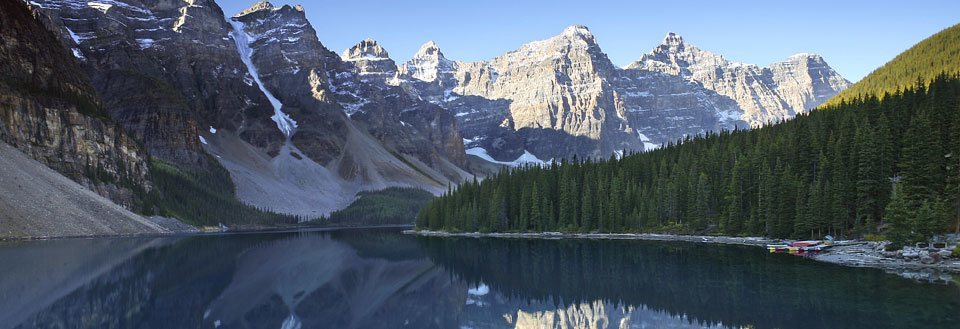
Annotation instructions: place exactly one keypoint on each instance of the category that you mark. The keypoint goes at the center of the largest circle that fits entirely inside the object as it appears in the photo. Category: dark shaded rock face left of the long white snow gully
(167, 72)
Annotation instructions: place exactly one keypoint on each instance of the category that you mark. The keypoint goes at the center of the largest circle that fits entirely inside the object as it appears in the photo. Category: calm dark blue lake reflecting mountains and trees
(383, 279)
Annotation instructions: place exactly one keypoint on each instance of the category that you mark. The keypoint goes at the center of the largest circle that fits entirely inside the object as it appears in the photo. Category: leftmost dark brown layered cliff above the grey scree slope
(49, 111)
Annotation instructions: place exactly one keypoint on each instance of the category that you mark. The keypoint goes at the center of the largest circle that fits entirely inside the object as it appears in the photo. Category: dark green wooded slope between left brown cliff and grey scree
(204, 199)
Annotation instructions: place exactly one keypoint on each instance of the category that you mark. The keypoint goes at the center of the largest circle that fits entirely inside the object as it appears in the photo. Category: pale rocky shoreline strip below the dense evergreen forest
(854, 253)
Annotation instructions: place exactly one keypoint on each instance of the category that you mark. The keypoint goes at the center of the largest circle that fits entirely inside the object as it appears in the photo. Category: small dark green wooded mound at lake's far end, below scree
(392, 206)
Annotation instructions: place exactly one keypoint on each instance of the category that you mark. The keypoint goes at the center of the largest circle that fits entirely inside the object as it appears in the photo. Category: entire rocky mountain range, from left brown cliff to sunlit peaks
(231, 117)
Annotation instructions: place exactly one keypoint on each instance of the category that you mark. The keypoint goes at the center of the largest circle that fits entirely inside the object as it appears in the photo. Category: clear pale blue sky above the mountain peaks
(854, 37)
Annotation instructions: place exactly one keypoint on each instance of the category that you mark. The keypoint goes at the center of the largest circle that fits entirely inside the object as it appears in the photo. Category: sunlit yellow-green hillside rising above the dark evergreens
(937, 54)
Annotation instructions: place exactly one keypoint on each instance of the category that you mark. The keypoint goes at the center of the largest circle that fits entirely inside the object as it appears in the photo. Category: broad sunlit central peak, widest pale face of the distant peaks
(561, 100)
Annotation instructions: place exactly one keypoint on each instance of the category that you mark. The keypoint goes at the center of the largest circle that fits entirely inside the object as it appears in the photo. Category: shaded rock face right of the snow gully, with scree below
(344, 133)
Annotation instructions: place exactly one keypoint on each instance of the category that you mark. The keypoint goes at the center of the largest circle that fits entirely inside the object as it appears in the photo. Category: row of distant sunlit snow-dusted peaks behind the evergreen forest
(562, 96)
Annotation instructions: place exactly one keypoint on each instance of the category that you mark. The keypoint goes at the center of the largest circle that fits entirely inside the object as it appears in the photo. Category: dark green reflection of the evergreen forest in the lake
(701, 285)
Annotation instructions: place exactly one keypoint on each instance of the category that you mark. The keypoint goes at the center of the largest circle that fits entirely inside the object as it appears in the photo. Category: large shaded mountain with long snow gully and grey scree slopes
(255, 101)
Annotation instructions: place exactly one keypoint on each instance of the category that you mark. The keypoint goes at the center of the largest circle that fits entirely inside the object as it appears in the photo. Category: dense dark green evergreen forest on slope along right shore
(833, 171)
